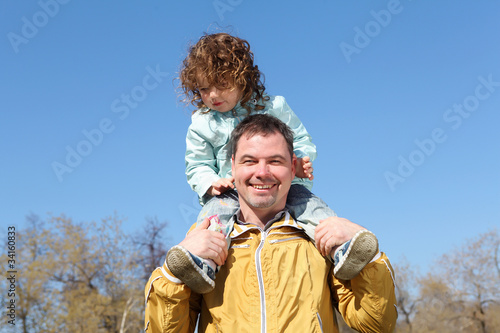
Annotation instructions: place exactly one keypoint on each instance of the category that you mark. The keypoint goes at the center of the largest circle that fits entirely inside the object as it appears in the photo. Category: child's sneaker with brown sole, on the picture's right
(352, 256)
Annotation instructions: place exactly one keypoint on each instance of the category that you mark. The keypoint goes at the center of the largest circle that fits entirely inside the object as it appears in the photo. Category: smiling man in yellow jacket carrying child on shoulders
(273, 279)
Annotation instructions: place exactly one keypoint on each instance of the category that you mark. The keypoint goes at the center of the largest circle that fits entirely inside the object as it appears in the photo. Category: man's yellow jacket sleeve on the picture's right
(368, 302)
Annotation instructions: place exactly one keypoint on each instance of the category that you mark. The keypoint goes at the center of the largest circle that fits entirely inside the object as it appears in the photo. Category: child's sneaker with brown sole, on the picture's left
(194, 271)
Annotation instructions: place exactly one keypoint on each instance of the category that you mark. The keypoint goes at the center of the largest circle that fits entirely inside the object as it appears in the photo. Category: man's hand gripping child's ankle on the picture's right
(334, 231)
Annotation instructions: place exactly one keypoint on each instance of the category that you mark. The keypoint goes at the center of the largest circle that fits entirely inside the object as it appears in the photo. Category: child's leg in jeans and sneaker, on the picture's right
(349, 258)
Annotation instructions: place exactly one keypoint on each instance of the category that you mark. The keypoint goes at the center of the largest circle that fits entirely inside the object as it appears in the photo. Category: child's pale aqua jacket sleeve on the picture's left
(201, 162)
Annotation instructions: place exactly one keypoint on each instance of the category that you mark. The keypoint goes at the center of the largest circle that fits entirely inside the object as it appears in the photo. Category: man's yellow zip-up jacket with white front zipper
(274, 281)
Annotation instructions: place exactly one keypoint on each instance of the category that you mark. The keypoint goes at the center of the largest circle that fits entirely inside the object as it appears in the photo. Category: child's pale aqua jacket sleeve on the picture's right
(302, 141)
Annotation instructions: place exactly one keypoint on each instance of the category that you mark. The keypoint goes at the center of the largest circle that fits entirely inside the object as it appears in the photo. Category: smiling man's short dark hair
(261, 124)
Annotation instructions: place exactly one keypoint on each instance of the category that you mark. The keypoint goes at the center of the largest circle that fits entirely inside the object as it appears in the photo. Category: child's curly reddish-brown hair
(225, 62)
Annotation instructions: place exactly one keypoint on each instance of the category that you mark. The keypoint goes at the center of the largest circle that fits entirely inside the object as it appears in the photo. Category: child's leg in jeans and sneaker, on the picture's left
(198, 273)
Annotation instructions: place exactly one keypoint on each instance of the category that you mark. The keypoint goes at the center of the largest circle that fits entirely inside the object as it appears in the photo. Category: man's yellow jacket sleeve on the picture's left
(170, 304)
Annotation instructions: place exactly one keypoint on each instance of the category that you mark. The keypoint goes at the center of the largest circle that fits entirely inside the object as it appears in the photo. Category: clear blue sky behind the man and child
(401, 98)
